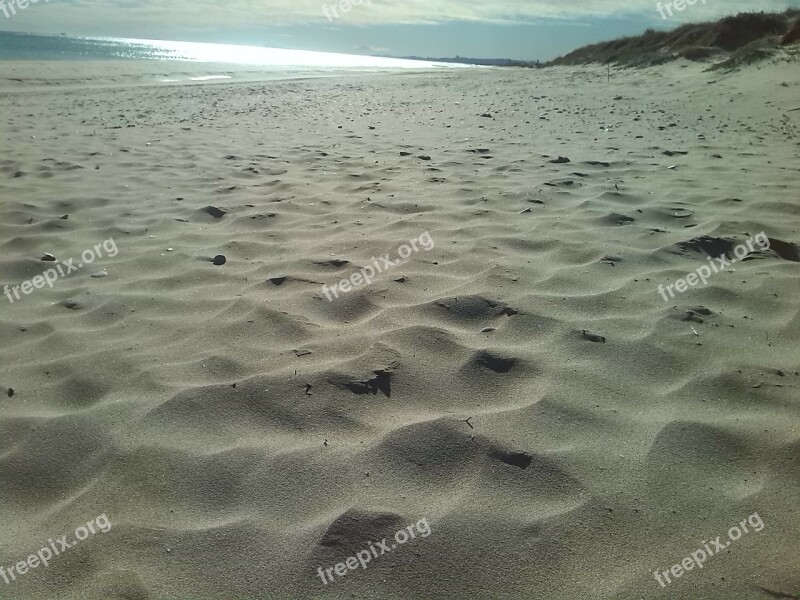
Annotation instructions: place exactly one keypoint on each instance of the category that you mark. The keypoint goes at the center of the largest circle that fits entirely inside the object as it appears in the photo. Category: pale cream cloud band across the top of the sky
(200, 15)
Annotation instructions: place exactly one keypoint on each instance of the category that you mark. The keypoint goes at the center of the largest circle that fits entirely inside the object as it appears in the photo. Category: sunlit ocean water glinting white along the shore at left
(25, 46)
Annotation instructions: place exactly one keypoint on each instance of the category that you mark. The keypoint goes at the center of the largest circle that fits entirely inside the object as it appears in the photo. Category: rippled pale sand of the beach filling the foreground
(521, 386)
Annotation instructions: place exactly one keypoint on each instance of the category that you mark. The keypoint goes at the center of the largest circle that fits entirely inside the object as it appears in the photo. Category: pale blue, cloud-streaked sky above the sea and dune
(520, 29)
